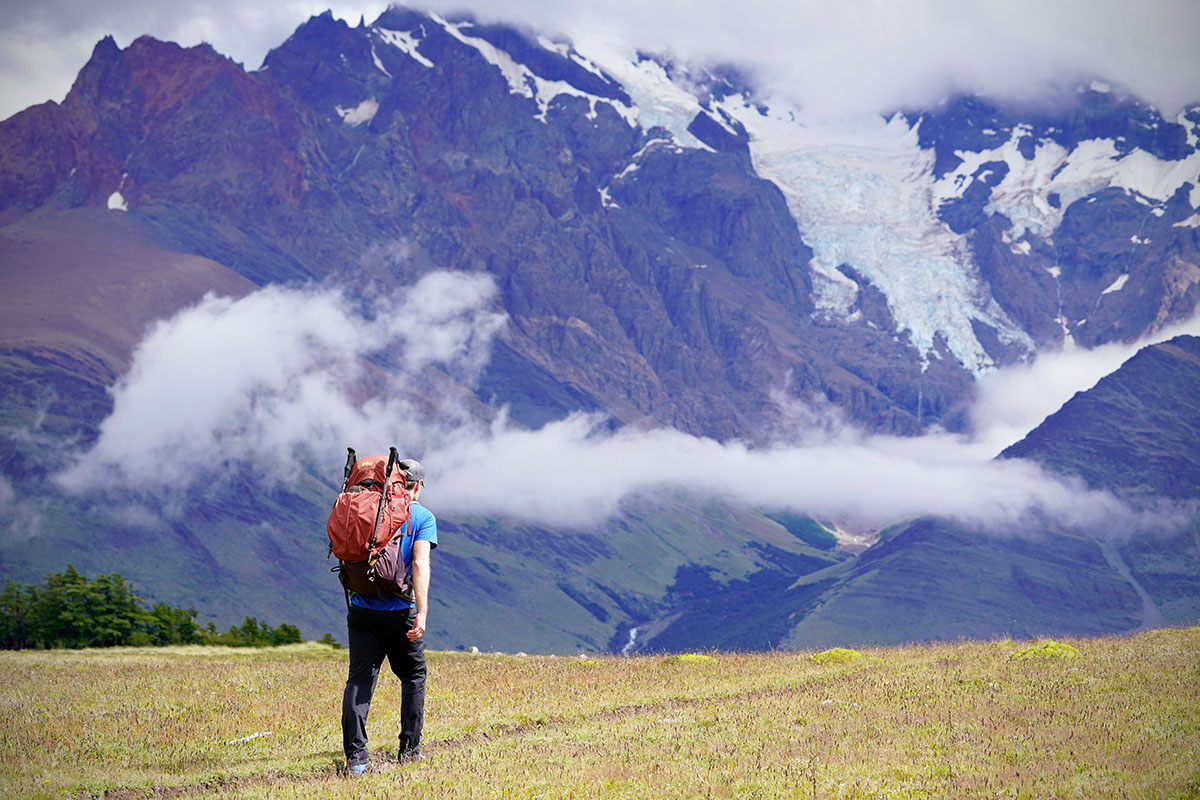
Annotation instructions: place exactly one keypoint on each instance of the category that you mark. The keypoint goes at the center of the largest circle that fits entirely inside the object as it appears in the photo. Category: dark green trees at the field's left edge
(70, 611)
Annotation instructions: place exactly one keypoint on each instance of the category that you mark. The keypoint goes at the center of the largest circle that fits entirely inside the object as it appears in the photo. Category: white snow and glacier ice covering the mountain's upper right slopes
(867, 195)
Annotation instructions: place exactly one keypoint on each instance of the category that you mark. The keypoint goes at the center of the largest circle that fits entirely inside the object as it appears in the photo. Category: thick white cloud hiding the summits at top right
(863, 56)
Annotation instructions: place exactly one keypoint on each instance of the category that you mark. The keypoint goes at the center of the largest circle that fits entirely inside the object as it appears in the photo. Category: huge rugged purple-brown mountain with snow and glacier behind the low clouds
(669, 252)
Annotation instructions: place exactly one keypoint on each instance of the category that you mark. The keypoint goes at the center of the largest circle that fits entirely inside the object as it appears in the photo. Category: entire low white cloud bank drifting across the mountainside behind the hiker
(284, 378)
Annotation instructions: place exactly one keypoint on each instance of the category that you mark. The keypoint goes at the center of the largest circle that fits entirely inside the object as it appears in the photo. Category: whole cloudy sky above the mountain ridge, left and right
(842, 57)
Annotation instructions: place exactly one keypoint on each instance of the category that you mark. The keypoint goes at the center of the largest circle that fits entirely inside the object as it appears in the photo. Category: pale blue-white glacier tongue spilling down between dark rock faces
(862, 194)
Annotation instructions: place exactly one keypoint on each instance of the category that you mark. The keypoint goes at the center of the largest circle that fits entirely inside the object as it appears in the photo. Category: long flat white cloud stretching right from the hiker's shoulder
(575, 473)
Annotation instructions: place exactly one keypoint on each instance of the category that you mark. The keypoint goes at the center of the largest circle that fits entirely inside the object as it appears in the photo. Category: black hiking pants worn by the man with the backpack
(375, 636)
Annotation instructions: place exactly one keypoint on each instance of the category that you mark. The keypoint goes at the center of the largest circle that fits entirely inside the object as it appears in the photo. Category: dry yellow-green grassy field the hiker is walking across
(1120, 719)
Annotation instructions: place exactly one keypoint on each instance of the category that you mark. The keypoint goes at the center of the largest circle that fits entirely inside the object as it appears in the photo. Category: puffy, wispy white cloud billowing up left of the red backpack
(283, 374)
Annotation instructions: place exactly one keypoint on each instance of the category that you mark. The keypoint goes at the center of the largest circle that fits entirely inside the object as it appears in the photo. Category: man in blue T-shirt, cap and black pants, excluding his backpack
(392, 628)
